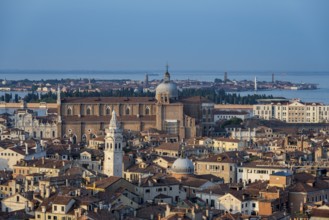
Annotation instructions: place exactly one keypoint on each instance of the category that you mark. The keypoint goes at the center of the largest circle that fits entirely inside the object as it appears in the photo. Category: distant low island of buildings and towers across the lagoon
(93, 85)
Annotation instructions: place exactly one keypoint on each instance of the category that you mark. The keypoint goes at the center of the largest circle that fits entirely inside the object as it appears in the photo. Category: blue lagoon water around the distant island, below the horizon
(320, 78)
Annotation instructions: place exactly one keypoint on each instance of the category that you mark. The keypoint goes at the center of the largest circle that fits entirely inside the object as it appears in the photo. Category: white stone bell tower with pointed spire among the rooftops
(113, 152)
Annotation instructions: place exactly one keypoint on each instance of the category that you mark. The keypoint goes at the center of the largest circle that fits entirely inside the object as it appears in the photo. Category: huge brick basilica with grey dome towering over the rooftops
(83, 118)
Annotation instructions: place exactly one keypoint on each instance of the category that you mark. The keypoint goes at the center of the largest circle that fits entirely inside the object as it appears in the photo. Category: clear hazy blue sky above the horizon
(227, 35)
